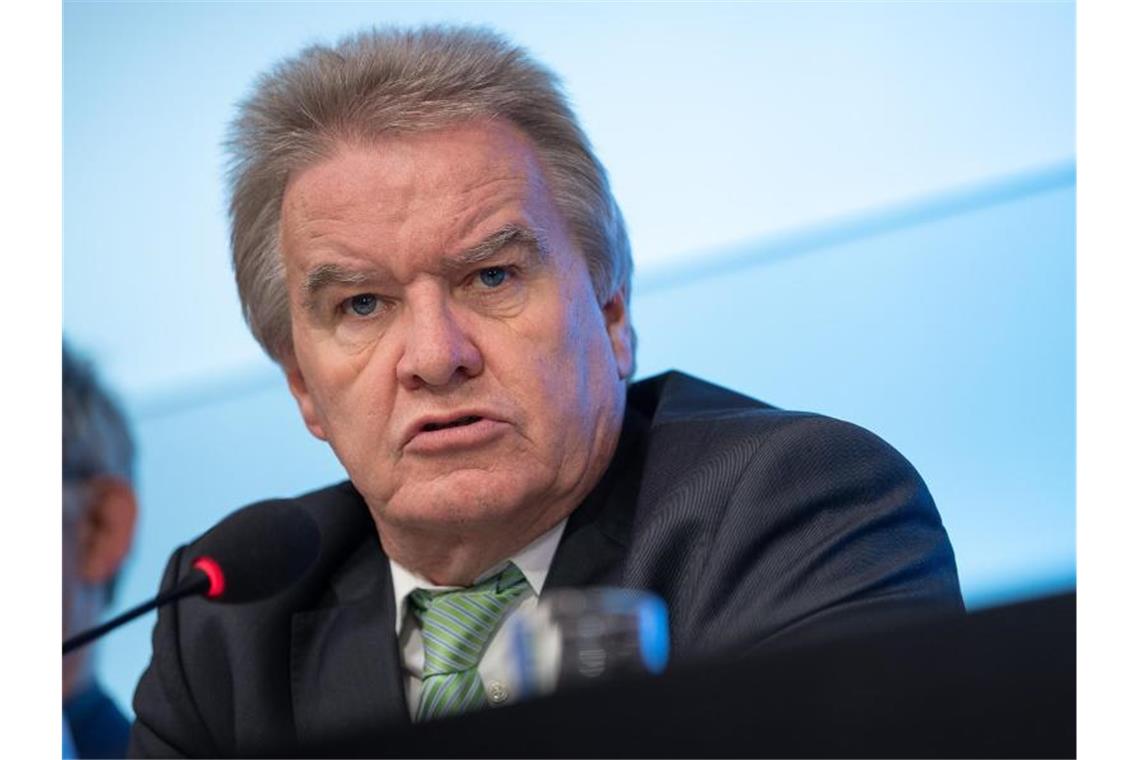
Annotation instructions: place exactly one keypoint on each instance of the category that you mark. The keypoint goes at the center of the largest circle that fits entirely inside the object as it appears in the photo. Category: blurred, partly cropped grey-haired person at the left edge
(99, 524)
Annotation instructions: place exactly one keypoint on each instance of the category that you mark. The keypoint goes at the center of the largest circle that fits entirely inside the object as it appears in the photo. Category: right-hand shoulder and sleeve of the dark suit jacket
(755, 521)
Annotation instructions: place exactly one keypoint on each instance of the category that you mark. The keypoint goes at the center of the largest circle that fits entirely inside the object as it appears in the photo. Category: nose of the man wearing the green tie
(438, 352)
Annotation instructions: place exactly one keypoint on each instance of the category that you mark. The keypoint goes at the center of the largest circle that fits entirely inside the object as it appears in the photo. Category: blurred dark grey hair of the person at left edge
(97, 439)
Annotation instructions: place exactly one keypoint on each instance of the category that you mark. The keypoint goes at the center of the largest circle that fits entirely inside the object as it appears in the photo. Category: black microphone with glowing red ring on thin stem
(249, 557)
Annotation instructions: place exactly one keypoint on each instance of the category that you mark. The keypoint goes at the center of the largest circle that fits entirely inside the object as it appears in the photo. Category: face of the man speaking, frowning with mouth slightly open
(447, 340)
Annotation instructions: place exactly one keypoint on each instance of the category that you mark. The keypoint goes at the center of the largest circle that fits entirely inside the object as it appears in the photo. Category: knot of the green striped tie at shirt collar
(458, 625)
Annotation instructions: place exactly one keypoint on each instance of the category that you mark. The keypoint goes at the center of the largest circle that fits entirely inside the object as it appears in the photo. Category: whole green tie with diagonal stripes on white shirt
(457, 628)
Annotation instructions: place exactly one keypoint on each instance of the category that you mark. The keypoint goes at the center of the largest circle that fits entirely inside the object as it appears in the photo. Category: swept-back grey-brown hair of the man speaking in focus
(393, 81)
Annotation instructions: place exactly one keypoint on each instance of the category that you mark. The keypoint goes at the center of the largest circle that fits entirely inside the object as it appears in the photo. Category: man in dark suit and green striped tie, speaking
(427, 246)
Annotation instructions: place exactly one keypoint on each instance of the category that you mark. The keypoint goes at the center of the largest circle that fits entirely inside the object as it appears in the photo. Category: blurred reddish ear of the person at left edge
(108, 528)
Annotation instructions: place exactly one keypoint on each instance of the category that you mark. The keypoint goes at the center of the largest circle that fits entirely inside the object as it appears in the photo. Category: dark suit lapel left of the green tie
(348, 684)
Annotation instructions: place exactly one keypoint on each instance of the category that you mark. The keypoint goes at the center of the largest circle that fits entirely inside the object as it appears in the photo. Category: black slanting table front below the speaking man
(998, 683)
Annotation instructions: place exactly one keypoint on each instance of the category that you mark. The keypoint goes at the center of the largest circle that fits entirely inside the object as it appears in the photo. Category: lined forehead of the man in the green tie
(434, 187)
